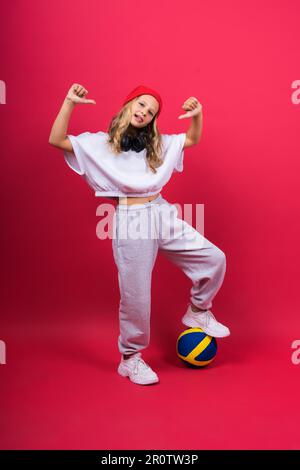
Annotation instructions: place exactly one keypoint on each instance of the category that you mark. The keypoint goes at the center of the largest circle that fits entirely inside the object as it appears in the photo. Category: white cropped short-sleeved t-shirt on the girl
(126, 173)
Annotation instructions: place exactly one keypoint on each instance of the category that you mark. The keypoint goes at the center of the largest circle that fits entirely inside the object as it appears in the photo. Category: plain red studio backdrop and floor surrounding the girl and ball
(59, 320)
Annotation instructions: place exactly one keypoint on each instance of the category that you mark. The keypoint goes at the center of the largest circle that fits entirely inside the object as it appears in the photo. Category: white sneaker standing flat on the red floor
(137, 370)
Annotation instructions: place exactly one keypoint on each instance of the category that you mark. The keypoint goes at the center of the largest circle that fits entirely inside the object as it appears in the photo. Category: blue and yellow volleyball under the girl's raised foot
(196, 348)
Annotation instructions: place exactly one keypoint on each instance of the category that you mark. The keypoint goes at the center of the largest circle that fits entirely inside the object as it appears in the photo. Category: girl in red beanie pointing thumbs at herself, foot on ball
(130, 164)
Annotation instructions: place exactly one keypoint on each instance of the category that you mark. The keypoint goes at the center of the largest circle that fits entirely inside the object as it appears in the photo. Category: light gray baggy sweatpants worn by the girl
(140, 230)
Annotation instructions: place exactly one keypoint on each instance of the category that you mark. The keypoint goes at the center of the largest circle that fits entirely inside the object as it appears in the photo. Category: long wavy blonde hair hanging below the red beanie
(118, 127)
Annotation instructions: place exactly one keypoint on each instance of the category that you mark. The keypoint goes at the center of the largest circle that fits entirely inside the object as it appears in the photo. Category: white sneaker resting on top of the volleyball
(206, 321)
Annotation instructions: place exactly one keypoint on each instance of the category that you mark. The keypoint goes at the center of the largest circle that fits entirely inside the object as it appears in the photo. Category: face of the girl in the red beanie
(144, 108)
